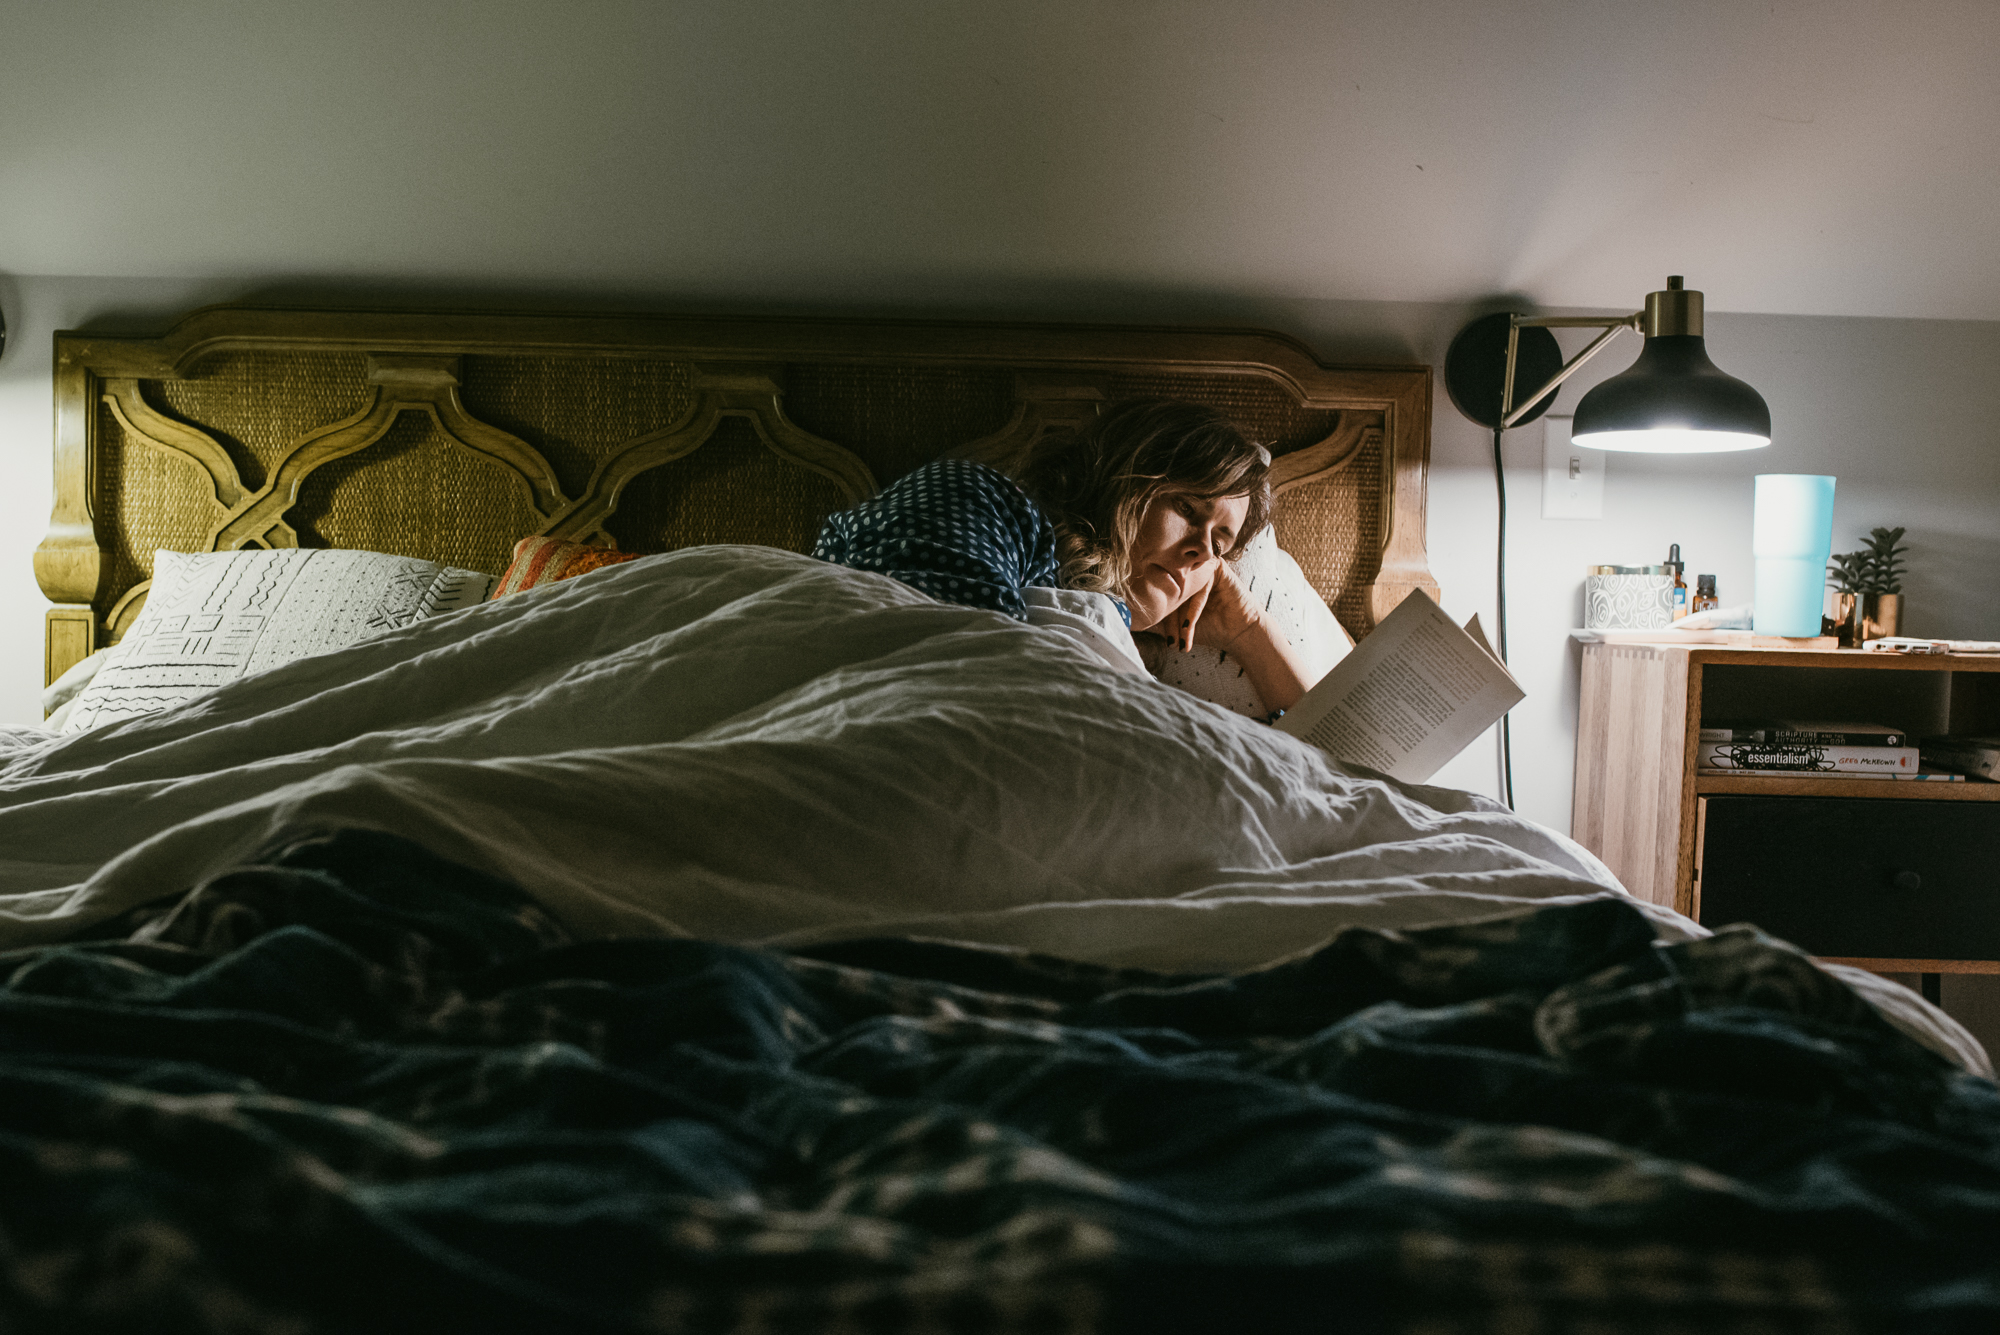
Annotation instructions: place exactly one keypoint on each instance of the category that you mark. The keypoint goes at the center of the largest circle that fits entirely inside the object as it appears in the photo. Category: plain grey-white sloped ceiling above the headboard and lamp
(1835, 159)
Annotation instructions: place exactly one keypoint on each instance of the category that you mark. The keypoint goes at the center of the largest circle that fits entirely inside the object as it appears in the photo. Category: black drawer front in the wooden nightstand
(1855, 878)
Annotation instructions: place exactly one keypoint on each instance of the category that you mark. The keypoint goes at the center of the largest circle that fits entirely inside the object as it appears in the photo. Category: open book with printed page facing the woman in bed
(1409, 698)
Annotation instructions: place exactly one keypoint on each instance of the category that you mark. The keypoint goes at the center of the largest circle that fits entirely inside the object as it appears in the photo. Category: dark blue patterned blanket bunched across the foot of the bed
(363, 1090)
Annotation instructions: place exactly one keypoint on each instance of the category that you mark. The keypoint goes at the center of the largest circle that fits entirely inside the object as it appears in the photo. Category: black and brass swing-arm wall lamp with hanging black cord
(1671, 401)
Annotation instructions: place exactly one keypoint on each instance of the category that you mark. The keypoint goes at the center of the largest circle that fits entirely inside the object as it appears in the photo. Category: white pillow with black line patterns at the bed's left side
(219, 617)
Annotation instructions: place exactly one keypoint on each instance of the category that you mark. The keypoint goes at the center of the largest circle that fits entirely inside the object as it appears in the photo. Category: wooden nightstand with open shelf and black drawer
(1893, 876)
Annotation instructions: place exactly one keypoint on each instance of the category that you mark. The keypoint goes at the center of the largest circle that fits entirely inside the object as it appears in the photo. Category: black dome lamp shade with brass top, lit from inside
(1673, 399)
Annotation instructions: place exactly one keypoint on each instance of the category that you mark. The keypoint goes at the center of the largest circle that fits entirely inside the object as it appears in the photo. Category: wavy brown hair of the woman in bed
(1097, 485)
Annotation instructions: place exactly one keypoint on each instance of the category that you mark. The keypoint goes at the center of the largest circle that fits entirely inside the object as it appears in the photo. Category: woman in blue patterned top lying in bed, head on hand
(1149, 505)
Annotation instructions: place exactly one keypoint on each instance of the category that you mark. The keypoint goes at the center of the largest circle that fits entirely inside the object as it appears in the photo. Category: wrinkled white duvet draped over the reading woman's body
(753, 746)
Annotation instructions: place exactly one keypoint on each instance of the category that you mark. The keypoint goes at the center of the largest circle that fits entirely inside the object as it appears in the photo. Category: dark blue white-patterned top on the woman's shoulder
(957, 531)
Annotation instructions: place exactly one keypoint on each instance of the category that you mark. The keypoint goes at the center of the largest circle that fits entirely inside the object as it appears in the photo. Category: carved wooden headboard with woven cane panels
(449, 437)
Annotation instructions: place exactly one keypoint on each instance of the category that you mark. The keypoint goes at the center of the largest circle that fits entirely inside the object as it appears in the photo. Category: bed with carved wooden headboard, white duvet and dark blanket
(725, 940)
